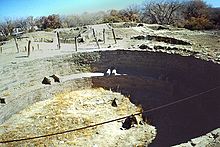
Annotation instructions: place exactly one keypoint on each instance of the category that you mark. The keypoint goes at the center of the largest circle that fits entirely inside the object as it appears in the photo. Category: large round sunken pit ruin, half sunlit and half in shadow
(150, 93)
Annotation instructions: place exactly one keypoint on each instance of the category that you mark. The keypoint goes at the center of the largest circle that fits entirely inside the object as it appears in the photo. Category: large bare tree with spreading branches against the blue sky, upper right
(162, 12)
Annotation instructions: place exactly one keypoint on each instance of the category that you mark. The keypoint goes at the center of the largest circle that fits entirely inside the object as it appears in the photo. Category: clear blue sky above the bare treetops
(22, 8)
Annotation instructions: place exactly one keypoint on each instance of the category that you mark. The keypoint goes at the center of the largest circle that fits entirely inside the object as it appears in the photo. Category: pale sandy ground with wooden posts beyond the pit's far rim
(204, 44)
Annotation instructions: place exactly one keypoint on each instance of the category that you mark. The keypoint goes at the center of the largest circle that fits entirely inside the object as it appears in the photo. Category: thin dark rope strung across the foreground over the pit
(113, 120)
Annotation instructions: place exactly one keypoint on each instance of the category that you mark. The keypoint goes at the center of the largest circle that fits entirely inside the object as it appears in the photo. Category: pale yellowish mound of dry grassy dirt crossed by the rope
(74, 110)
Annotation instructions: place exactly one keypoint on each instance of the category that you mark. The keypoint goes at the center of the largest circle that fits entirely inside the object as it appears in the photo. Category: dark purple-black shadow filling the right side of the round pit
(155, 79)
